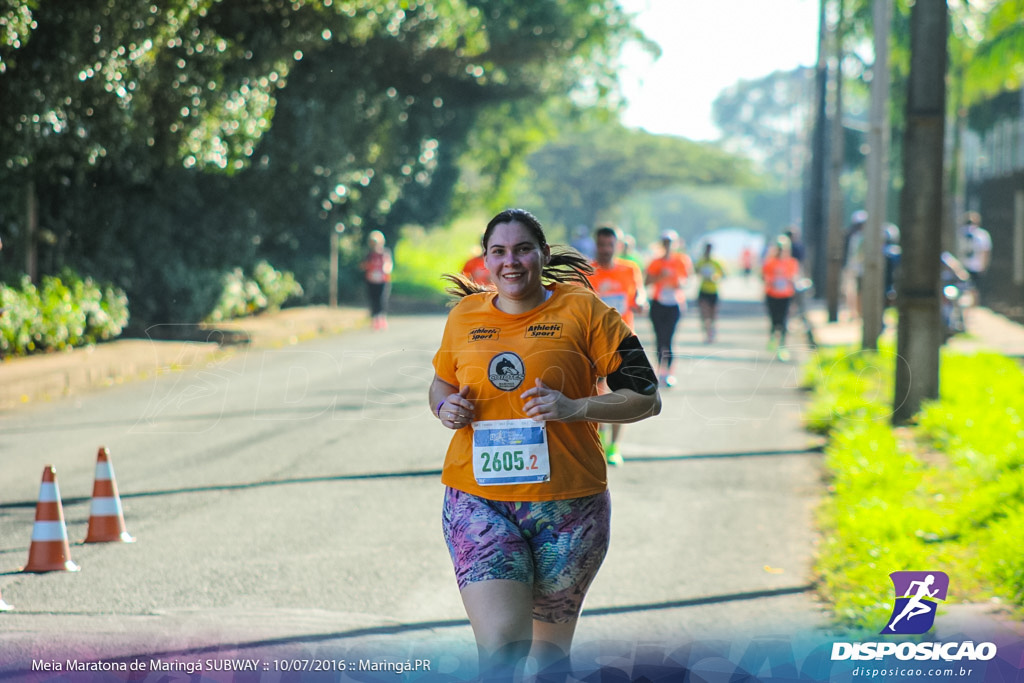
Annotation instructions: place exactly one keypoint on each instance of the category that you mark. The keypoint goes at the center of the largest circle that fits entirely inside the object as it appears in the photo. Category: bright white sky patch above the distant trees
(708, 46)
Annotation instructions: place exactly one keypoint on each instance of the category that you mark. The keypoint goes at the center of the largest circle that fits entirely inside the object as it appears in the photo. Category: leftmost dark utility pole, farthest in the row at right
(815, 218)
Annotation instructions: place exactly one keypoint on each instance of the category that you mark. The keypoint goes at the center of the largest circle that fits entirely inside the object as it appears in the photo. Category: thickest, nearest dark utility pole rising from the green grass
(920, 333)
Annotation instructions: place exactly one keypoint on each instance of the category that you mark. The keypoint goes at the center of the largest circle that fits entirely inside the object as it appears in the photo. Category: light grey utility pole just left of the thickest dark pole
(872, 303)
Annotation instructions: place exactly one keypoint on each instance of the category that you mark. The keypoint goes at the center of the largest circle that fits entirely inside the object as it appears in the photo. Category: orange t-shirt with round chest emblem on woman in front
(569, 341)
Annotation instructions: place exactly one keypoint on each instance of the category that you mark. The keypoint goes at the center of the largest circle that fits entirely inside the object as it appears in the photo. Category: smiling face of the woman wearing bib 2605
(516, 261)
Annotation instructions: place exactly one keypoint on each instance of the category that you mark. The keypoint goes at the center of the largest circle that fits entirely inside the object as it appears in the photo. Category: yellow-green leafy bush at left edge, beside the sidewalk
(64, 313)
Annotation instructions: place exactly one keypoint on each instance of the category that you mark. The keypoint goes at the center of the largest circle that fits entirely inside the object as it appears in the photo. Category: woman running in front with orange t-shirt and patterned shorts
(527, 509)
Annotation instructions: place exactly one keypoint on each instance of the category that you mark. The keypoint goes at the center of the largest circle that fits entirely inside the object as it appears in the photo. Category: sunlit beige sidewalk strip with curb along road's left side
(50, 376)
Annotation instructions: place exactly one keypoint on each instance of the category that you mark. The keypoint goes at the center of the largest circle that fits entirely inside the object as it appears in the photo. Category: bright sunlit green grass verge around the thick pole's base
(945, 494)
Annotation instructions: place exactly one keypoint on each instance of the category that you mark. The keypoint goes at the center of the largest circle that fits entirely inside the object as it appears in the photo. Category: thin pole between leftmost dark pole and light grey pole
(837, 242)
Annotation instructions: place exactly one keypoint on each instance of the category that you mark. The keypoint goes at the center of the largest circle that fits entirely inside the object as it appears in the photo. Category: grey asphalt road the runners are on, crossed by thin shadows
(288, 501)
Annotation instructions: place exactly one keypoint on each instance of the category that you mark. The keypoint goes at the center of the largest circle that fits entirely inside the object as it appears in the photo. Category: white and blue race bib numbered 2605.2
(510, 452)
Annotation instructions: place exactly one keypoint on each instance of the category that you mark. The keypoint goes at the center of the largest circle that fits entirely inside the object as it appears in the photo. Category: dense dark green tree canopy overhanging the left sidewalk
(169, 143)
